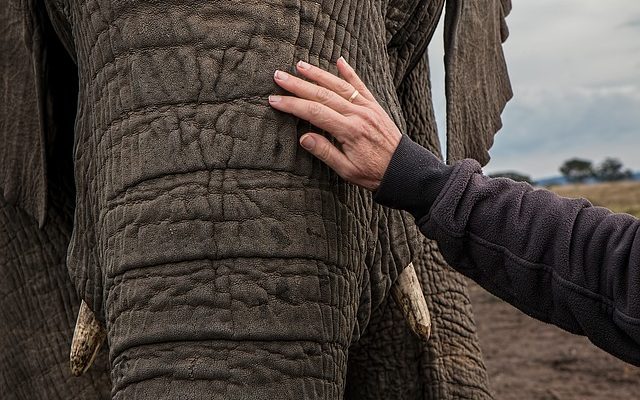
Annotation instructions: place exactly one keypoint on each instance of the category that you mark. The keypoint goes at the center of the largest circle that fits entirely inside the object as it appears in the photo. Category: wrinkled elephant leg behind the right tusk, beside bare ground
(391, 362)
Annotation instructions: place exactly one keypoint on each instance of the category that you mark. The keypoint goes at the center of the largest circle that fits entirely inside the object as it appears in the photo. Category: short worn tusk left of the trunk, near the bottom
(87, 339)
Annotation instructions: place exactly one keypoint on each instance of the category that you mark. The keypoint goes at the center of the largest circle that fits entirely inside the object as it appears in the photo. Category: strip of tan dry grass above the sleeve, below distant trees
(617, 196)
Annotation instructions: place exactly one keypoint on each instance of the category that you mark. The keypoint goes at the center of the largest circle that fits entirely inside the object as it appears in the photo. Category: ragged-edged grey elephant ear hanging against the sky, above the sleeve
(476, 83)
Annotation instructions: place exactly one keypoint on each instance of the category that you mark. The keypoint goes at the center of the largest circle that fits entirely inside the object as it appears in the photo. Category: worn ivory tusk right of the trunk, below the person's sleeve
(407, 293)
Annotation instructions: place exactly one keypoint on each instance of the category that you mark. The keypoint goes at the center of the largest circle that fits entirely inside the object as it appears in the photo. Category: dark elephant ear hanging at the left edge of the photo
(22, 137)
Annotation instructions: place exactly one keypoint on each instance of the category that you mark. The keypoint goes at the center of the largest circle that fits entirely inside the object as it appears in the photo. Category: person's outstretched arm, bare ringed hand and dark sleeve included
(559, 260)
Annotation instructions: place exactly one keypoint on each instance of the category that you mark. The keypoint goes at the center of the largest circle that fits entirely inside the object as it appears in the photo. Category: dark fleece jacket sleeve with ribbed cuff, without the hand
(560, 260)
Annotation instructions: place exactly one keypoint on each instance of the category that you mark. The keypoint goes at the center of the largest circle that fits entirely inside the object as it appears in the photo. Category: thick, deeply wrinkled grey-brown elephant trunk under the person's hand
(224, 260)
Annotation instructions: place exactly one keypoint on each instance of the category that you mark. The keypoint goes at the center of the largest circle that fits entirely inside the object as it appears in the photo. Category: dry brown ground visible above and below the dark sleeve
(529, 360)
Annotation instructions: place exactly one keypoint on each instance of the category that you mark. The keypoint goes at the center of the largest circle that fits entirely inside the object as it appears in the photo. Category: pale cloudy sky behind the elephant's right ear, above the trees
(575, 71)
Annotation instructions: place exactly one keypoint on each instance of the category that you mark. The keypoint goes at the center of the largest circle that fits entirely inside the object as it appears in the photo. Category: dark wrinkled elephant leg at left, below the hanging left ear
(39, 305)
